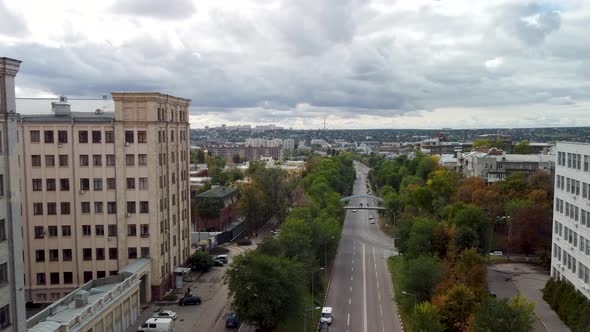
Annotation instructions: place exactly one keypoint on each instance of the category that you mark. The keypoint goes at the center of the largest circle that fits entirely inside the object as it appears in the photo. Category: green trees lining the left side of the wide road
(272, 283)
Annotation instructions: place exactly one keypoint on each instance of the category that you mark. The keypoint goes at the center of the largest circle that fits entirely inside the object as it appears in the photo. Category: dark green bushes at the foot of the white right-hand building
(572, 306)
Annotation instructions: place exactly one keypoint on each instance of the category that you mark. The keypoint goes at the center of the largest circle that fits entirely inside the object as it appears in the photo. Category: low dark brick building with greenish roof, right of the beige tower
(227, 197)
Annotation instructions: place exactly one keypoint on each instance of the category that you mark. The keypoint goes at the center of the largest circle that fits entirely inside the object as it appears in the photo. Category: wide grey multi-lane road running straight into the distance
(361, 293)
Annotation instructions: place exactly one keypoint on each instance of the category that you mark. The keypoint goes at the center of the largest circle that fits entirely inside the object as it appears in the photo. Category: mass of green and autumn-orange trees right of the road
(446, 225)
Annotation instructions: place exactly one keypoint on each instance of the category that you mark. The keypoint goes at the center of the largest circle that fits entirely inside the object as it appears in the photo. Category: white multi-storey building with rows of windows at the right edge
(571, 216)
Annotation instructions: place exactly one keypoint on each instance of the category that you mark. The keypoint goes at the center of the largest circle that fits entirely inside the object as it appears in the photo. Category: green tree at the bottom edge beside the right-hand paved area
(498, 315)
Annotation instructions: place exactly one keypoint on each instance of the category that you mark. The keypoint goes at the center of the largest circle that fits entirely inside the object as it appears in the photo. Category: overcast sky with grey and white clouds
(358, 63)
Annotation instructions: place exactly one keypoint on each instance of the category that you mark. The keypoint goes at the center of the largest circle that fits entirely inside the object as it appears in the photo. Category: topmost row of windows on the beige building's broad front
(83, 135)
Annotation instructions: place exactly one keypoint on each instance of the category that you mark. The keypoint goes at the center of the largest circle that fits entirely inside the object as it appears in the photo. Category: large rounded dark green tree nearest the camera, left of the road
(265, 289)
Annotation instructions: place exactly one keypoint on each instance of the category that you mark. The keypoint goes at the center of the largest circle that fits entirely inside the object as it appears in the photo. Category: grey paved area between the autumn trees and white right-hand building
(528, 280)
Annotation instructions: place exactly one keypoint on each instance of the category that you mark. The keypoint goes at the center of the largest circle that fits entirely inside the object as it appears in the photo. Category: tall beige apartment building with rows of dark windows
(100, 190)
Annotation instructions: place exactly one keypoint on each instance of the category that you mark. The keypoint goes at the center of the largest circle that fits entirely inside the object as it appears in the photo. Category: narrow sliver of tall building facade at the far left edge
(12, 295)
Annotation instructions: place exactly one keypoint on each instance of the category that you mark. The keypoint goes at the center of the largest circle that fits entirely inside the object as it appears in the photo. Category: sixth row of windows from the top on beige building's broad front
(87, 254)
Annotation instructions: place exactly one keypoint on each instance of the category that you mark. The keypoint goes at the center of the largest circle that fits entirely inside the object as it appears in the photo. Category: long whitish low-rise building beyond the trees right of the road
(496, 167)
